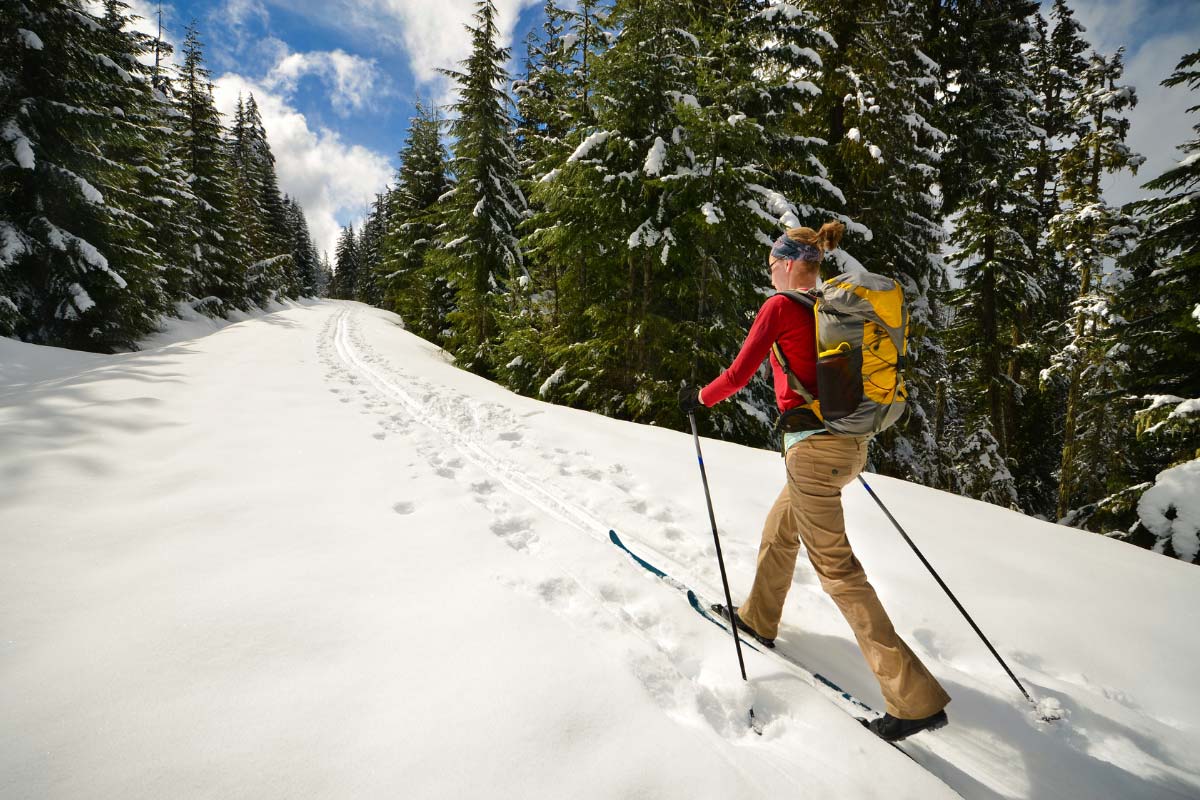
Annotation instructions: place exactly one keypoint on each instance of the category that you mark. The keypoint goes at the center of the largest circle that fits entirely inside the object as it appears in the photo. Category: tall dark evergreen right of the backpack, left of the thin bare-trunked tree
(986, 111)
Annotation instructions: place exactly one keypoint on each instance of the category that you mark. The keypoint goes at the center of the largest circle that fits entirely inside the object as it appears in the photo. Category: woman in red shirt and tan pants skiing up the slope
(809, 508)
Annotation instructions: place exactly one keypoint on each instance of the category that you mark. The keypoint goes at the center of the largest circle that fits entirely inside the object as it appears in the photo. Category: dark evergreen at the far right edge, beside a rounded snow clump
(1157, 329)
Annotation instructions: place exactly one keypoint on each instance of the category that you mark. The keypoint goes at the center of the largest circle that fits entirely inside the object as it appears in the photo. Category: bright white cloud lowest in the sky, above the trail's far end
(331, 179)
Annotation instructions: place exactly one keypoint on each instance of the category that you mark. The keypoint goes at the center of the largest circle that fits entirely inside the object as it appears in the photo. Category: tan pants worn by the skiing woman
(809, 509)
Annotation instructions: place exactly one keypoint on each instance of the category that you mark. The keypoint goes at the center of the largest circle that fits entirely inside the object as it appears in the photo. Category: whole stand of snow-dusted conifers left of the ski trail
(123, 193)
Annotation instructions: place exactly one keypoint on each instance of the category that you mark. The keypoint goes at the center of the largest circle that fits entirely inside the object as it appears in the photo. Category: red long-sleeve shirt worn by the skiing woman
(779, 321)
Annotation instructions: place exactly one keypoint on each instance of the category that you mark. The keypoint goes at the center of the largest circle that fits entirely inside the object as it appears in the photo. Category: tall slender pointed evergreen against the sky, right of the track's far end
(481, 251)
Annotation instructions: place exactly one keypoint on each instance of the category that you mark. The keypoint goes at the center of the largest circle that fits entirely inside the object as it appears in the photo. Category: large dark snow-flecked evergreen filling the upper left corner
(75, 274)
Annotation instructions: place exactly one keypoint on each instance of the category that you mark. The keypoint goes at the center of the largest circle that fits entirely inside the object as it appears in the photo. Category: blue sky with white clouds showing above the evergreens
(338, 80)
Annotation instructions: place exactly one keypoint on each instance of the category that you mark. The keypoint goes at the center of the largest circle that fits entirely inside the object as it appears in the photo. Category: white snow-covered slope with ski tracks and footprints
(305, 556)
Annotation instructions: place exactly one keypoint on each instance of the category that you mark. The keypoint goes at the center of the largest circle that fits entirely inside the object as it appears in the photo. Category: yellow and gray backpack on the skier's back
(862, 324)
